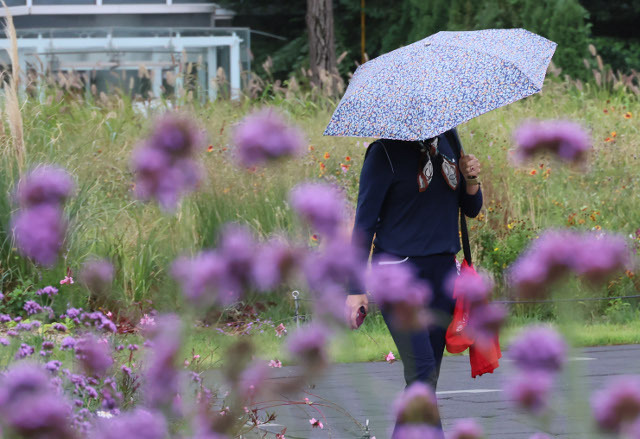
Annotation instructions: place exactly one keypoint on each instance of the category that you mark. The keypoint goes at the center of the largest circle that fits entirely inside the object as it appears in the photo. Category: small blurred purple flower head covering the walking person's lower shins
(416, 405)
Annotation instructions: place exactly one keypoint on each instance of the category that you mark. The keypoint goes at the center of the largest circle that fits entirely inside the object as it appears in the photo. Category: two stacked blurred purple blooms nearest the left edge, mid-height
(39, 225)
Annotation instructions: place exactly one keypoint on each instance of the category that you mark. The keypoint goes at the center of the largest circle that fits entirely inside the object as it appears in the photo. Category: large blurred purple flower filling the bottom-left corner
(48, 412)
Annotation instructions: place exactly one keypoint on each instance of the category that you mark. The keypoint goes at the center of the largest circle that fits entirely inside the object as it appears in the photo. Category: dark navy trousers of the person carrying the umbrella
(421, 351)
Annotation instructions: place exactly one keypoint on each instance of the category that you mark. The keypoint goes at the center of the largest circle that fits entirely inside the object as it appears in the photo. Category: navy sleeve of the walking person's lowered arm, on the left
(375, 179)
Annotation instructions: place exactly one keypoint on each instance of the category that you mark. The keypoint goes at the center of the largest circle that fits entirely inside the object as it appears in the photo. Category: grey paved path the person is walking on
(366, 390)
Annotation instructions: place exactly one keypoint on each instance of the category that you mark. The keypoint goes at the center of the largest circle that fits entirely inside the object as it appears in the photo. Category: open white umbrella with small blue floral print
(426, 88)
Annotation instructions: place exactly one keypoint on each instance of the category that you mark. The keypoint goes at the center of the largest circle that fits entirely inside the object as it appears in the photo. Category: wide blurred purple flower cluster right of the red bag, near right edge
(596, 256)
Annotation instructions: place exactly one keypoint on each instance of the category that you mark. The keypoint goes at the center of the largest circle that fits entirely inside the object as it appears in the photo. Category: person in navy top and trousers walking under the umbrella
(409, 198)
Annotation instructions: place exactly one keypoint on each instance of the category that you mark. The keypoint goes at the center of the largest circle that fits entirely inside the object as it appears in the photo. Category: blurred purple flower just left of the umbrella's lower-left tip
(264, 136)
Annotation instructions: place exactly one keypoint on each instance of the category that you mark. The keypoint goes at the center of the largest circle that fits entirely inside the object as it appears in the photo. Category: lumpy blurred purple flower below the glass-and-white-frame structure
(164, 164)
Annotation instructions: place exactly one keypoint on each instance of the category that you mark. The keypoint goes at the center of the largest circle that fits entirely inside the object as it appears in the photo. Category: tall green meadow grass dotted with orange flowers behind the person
(94, 138)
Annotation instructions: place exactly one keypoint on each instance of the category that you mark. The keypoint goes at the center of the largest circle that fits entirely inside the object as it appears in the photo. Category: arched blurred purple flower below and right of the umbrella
(567, 140)
